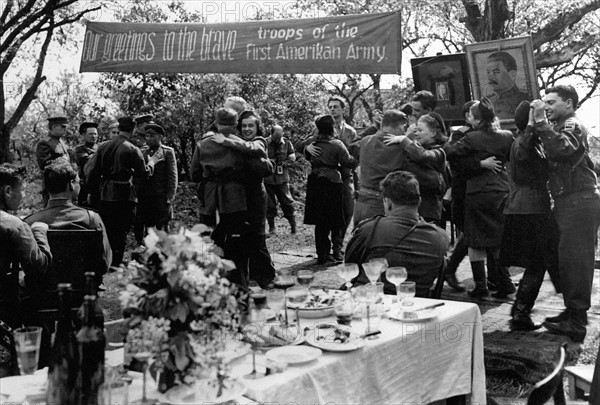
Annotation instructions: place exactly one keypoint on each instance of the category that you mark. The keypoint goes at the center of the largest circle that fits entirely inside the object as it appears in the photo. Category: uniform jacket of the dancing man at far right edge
(566, 145)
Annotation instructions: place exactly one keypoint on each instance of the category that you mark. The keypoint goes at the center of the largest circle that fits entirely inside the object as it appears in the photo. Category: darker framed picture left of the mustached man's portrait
(447, 78)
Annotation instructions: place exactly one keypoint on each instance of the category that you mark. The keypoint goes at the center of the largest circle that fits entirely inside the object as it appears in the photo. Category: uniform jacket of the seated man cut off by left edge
(20, 246)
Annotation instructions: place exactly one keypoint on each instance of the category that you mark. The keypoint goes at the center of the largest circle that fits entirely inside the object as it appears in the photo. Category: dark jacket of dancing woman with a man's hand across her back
(481, 145)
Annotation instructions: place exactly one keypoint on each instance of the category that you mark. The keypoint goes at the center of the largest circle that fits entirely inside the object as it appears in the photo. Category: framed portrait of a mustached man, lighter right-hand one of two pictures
(503, 71)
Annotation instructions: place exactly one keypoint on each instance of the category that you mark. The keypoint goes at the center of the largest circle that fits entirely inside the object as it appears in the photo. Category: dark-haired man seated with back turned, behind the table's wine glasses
(401, 236)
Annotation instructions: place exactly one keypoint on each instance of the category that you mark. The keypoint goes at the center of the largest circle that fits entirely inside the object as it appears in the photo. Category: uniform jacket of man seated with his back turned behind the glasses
(421, 251)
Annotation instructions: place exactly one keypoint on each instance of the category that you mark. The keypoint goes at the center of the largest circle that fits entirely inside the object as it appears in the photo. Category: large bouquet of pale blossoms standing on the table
(179, 305)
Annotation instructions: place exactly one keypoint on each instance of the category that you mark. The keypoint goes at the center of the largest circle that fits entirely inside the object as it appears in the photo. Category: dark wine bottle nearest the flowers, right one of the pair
(91, 343)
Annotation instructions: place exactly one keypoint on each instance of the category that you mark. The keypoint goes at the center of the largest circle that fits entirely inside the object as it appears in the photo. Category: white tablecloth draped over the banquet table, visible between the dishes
(410, 362)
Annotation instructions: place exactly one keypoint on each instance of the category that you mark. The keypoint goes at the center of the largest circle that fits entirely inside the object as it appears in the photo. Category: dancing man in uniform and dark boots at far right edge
(572, 183)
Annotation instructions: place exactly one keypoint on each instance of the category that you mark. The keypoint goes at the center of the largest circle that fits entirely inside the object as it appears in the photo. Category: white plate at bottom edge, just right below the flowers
(188, 395)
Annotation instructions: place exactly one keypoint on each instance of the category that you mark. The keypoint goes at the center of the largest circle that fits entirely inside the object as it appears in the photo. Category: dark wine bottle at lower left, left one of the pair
(64, 361)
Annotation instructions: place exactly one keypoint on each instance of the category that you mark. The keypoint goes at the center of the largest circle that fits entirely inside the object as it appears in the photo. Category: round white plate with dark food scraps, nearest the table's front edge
(334, 338)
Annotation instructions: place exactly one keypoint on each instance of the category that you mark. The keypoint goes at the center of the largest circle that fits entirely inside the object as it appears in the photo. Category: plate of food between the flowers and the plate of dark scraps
(275, 334)
